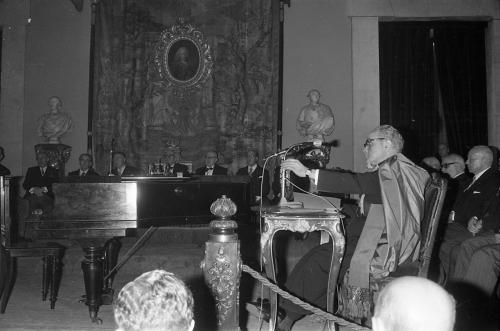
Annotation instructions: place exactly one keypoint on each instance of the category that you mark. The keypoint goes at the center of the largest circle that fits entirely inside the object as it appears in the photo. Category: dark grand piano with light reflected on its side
(97, 214)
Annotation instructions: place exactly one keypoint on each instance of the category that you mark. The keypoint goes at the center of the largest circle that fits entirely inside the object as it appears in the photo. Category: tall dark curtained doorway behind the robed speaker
(433, 84)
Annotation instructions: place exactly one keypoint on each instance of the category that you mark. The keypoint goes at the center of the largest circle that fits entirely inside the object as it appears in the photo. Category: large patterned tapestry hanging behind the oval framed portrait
(234, 109)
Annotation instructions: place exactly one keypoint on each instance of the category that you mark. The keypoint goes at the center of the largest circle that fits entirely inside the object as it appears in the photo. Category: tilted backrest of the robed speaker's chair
(434, 197)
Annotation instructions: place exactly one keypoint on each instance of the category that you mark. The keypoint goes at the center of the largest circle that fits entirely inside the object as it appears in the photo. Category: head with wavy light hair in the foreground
(154, 301)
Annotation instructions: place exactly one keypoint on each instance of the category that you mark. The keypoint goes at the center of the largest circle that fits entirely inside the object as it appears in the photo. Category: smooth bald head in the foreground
(414, 304)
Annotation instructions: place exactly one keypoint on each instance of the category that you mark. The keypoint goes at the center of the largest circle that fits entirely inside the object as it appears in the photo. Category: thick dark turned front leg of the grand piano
(92, 268)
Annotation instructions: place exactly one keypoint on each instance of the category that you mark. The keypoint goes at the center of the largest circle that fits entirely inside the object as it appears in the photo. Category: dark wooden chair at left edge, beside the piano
(10, 250)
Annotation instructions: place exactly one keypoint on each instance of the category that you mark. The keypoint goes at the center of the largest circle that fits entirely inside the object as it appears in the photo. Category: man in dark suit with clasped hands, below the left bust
(38, 184)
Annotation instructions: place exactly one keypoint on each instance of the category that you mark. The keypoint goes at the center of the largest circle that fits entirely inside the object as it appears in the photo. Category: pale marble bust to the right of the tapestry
(315, 120)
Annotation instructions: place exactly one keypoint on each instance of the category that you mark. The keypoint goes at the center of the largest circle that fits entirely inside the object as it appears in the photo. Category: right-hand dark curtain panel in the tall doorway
(460, 55)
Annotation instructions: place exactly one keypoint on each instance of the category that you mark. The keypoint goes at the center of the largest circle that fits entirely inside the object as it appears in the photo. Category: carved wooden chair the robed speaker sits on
(433, 198)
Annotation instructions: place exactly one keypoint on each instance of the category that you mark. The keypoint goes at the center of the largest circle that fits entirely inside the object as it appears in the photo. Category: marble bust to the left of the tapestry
(55, 123)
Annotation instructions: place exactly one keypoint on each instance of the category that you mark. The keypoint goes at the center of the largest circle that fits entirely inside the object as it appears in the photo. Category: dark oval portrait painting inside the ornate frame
(183, 59)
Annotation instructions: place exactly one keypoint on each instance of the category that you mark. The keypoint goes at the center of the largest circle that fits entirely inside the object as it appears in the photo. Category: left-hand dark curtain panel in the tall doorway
(406, 86)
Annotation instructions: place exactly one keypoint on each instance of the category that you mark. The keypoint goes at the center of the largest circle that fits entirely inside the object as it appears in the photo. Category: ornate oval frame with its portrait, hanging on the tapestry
(183, 57)
